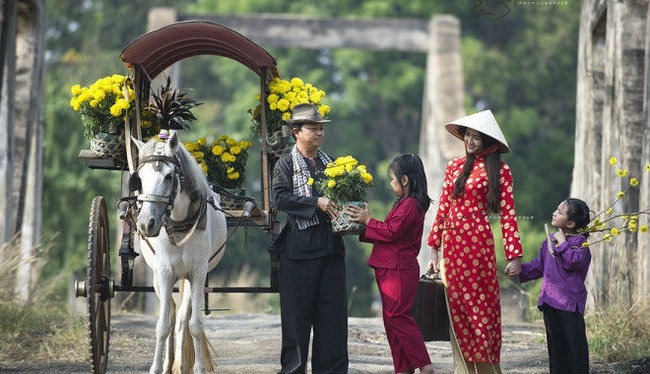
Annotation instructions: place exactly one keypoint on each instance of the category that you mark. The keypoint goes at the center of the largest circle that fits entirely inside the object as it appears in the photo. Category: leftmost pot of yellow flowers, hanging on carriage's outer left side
(103, 107)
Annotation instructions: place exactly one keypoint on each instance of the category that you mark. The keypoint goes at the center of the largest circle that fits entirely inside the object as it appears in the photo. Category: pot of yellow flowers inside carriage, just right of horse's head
(224, 163)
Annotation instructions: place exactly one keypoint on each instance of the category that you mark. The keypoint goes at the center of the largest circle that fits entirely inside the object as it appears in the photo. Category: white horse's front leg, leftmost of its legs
(165, 281)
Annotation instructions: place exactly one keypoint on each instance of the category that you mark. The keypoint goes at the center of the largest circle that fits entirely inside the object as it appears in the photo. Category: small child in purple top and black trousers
(563, 265)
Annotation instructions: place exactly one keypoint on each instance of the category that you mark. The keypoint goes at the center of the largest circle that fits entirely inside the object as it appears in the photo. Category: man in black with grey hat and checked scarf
(312, 259)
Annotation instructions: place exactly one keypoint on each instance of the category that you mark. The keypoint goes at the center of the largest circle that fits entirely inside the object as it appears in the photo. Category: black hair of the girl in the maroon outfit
(411, 166)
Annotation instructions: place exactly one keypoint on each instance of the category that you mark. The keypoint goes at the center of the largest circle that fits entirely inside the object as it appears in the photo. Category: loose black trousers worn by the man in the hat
(313, 296)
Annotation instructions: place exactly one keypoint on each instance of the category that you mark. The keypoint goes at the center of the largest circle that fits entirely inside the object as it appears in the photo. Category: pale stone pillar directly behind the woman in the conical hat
(443, 101)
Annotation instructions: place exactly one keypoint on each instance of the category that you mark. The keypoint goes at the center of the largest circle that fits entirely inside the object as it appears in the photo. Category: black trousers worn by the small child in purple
(567, 341)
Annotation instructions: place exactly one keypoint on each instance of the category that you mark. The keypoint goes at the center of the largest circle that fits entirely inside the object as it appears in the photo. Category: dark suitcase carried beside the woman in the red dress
(430, 308)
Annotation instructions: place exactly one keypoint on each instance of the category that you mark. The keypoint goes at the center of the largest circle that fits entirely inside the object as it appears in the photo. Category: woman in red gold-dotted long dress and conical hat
(475, 185)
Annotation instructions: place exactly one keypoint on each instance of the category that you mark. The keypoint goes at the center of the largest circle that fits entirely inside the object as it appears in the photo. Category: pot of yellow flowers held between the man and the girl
(345, 182)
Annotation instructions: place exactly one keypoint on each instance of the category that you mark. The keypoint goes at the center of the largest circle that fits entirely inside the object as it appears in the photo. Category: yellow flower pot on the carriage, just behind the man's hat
(282, 96)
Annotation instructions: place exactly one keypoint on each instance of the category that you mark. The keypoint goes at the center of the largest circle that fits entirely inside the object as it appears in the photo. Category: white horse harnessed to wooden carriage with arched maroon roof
(159, 174)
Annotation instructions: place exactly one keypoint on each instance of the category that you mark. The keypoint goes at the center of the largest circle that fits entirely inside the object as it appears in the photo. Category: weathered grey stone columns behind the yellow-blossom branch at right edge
(612, 121)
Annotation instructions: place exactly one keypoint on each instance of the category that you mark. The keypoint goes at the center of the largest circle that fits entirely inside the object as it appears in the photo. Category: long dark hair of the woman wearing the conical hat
(492, 163)
